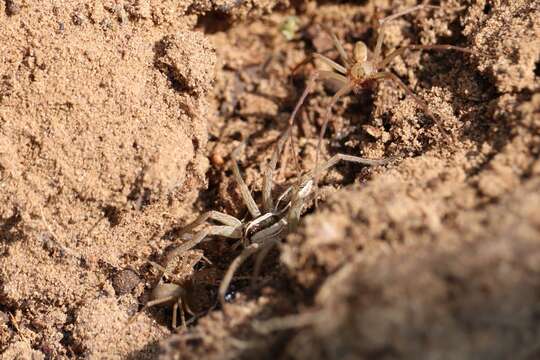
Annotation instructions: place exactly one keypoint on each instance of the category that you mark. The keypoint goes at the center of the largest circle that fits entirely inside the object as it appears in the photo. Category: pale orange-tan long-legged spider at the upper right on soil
(363, 70)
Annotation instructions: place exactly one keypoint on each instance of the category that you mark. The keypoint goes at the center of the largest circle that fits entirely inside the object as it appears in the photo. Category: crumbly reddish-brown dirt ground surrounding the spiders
(117, 120)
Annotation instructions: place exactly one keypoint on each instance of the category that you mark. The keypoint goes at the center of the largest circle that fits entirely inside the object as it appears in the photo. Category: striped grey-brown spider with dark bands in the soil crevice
(267, 228)
